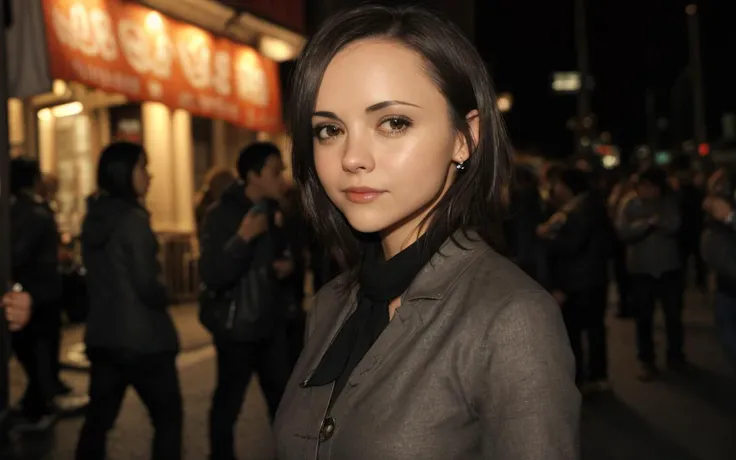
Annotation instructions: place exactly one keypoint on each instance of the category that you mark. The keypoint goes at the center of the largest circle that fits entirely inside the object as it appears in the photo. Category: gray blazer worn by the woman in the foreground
(474, 365)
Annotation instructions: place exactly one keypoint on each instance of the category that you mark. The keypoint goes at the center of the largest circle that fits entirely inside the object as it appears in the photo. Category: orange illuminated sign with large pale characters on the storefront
(126, 48)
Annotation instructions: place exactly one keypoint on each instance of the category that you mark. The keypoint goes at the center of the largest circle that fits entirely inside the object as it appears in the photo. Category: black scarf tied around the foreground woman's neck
(380, 281)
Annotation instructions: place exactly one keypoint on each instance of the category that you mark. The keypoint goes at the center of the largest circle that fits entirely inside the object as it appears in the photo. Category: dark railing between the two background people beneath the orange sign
(179, 261)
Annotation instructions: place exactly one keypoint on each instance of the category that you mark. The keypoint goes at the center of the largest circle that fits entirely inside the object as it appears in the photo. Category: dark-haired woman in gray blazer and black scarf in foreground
(432, 346)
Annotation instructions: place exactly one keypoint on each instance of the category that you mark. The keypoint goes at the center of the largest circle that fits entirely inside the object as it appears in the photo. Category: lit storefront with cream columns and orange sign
(122, 70)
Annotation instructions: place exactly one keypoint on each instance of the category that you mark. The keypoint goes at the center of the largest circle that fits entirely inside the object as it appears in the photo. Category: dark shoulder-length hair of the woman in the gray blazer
(451, 60)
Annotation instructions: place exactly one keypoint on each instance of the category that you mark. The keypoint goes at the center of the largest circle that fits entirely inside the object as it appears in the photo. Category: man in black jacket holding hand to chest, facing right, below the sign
(238, 234)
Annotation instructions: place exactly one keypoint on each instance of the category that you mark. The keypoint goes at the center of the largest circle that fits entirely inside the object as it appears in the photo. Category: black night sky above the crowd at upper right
(634, 45)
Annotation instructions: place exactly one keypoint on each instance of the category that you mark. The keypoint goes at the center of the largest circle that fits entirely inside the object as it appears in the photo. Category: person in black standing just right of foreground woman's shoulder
(577, 243)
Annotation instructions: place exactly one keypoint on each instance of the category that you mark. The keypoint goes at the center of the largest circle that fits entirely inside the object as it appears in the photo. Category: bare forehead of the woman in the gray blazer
(372, 71)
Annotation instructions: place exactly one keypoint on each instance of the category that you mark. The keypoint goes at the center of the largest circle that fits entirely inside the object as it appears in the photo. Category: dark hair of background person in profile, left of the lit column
(115, 170)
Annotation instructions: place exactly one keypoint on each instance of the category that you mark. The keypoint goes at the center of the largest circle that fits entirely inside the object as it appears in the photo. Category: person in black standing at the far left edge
(34, 259)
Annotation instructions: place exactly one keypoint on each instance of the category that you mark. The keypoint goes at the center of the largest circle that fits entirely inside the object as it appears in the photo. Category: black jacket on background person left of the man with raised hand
(127, 299)
